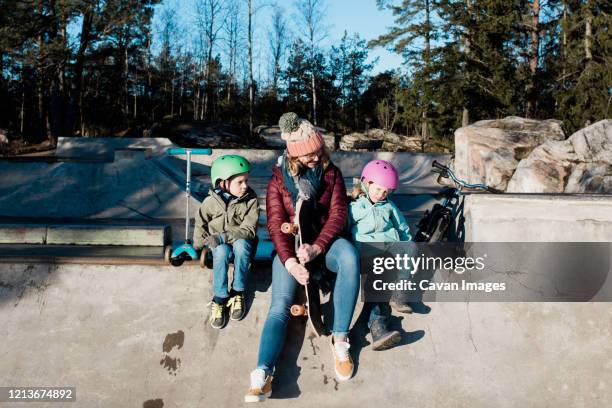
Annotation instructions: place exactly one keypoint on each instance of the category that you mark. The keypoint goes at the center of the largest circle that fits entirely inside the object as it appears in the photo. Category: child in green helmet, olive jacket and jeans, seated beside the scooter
(227, 225)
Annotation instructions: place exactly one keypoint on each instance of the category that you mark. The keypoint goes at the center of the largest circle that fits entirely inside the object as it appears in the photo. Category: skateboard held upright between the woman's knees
(308, 299)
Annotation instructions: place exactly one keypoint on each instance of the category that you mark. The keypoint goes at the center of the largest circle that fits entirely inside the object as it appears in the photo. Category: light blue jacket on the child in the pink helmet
(380, 222)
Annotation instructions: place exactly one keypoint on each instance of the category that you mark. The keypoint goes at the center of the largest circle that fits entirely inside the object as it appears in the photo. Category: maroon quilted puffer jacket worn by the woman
(333, 209)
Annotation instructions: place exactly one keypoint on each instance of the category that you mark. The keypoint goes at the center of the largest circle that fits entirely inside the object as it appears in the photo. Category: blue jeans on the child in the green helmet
(242, 249)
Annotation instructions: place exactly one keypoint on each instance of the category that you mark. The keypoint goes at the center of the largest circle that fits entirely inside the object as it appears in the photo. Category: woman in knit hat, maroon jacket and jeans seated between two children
(305, 169)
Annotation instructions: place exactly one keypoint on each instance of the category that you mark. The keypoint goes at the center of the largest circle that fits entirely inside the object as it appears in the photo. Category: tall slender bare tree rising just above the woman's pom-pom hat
(311, 13)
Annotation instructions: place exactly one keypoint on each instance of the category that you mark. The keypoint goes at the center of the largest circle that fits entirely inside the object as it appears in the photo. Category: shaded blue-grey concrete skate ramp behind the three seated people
(142, 183)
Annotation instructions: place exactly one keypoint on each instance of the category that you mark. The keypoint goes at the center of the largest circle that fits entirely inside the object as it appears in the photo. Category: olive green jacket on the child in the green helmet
(234, 220)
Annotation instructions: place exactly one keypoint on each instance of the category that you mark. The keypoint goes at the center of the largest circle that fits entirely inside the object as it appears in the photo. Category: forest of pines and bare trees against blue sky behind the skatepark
(103, 68)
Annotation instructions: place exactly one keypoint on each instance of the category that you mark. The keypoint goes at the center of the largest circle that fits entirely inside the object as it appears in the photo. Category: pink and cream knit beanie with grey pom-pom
(301, 136)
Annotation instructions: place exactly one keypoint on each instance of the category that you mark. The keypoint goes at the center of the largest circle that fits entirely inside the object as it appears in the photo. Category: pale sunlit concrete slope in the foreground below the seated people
(133, 336)
